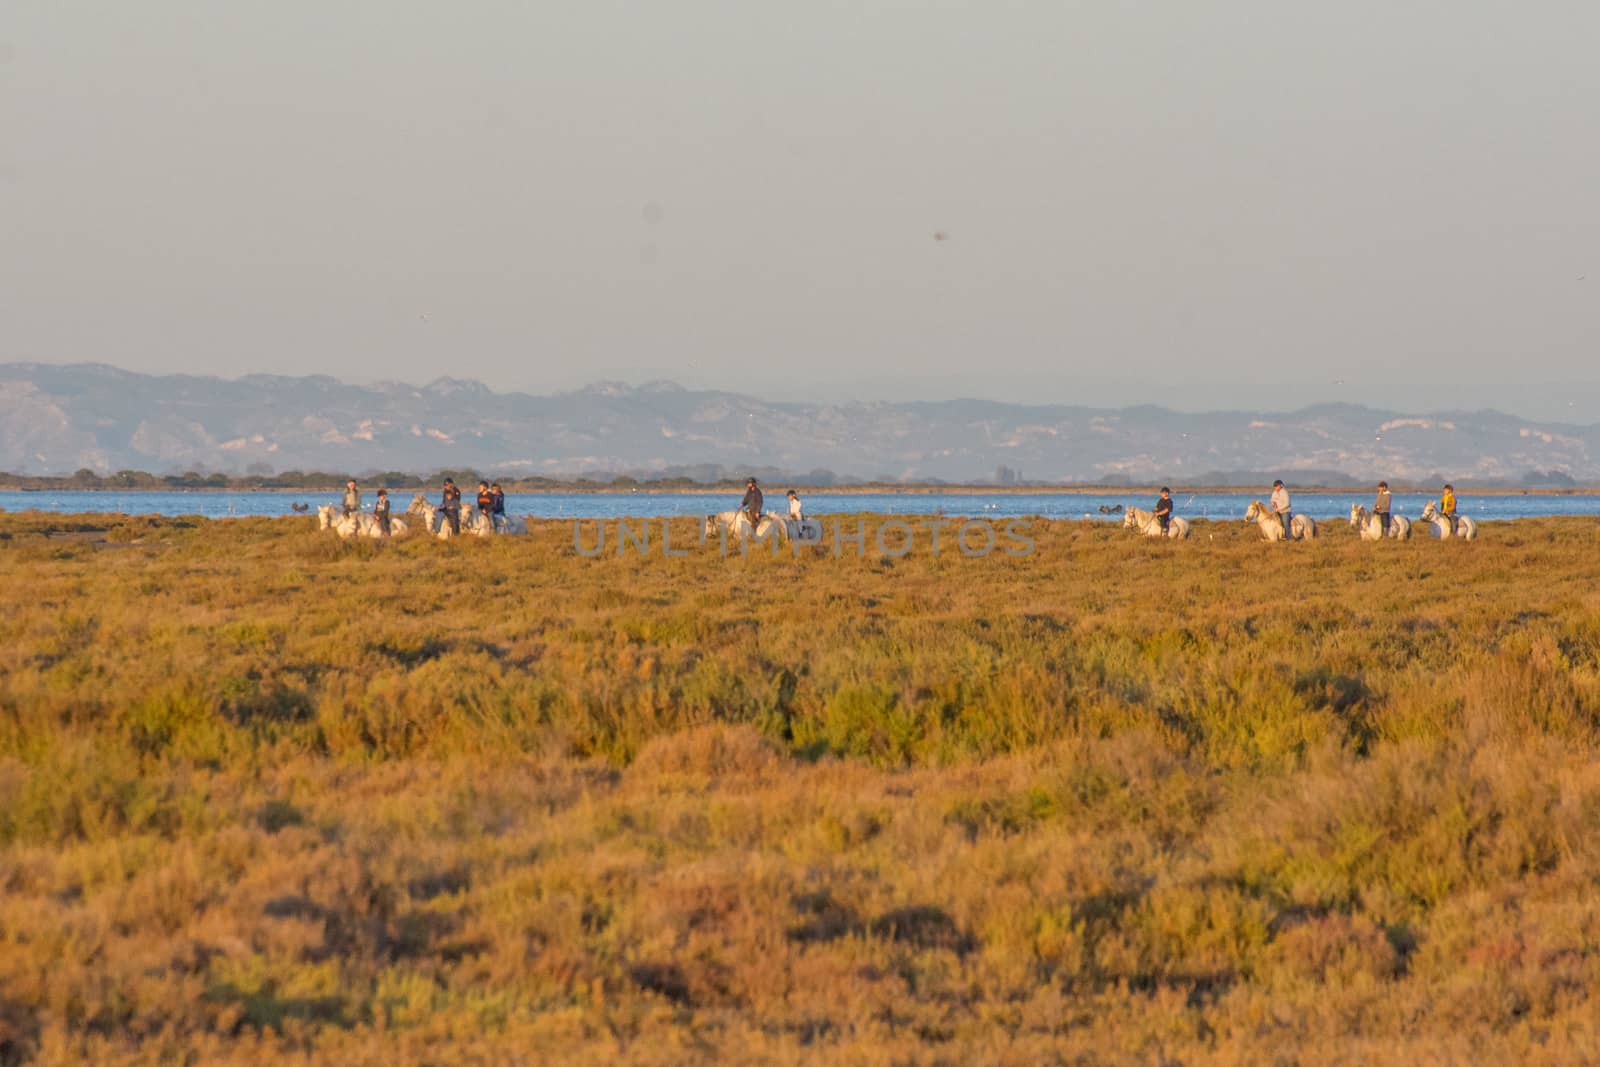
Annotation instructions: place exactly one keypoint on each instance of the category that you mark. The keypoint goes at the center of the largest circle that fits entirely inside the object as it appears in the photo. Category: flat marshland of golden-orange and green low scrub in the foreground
(266, 796)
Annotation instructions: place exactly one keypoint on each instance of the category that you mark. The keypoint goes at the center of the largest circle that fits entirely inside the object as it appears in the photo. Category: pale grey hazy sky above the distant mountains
(1190, 204)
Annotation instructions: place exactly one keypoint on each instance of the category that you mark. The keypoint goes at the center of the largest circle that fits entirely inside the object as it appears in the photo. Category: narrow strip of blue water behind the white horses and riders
(1322, 506)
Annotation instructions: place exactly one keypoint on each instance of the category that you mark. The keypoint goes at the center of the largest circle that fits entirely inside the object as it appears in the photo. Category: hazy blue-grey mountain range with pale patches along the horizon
(57, 420)
